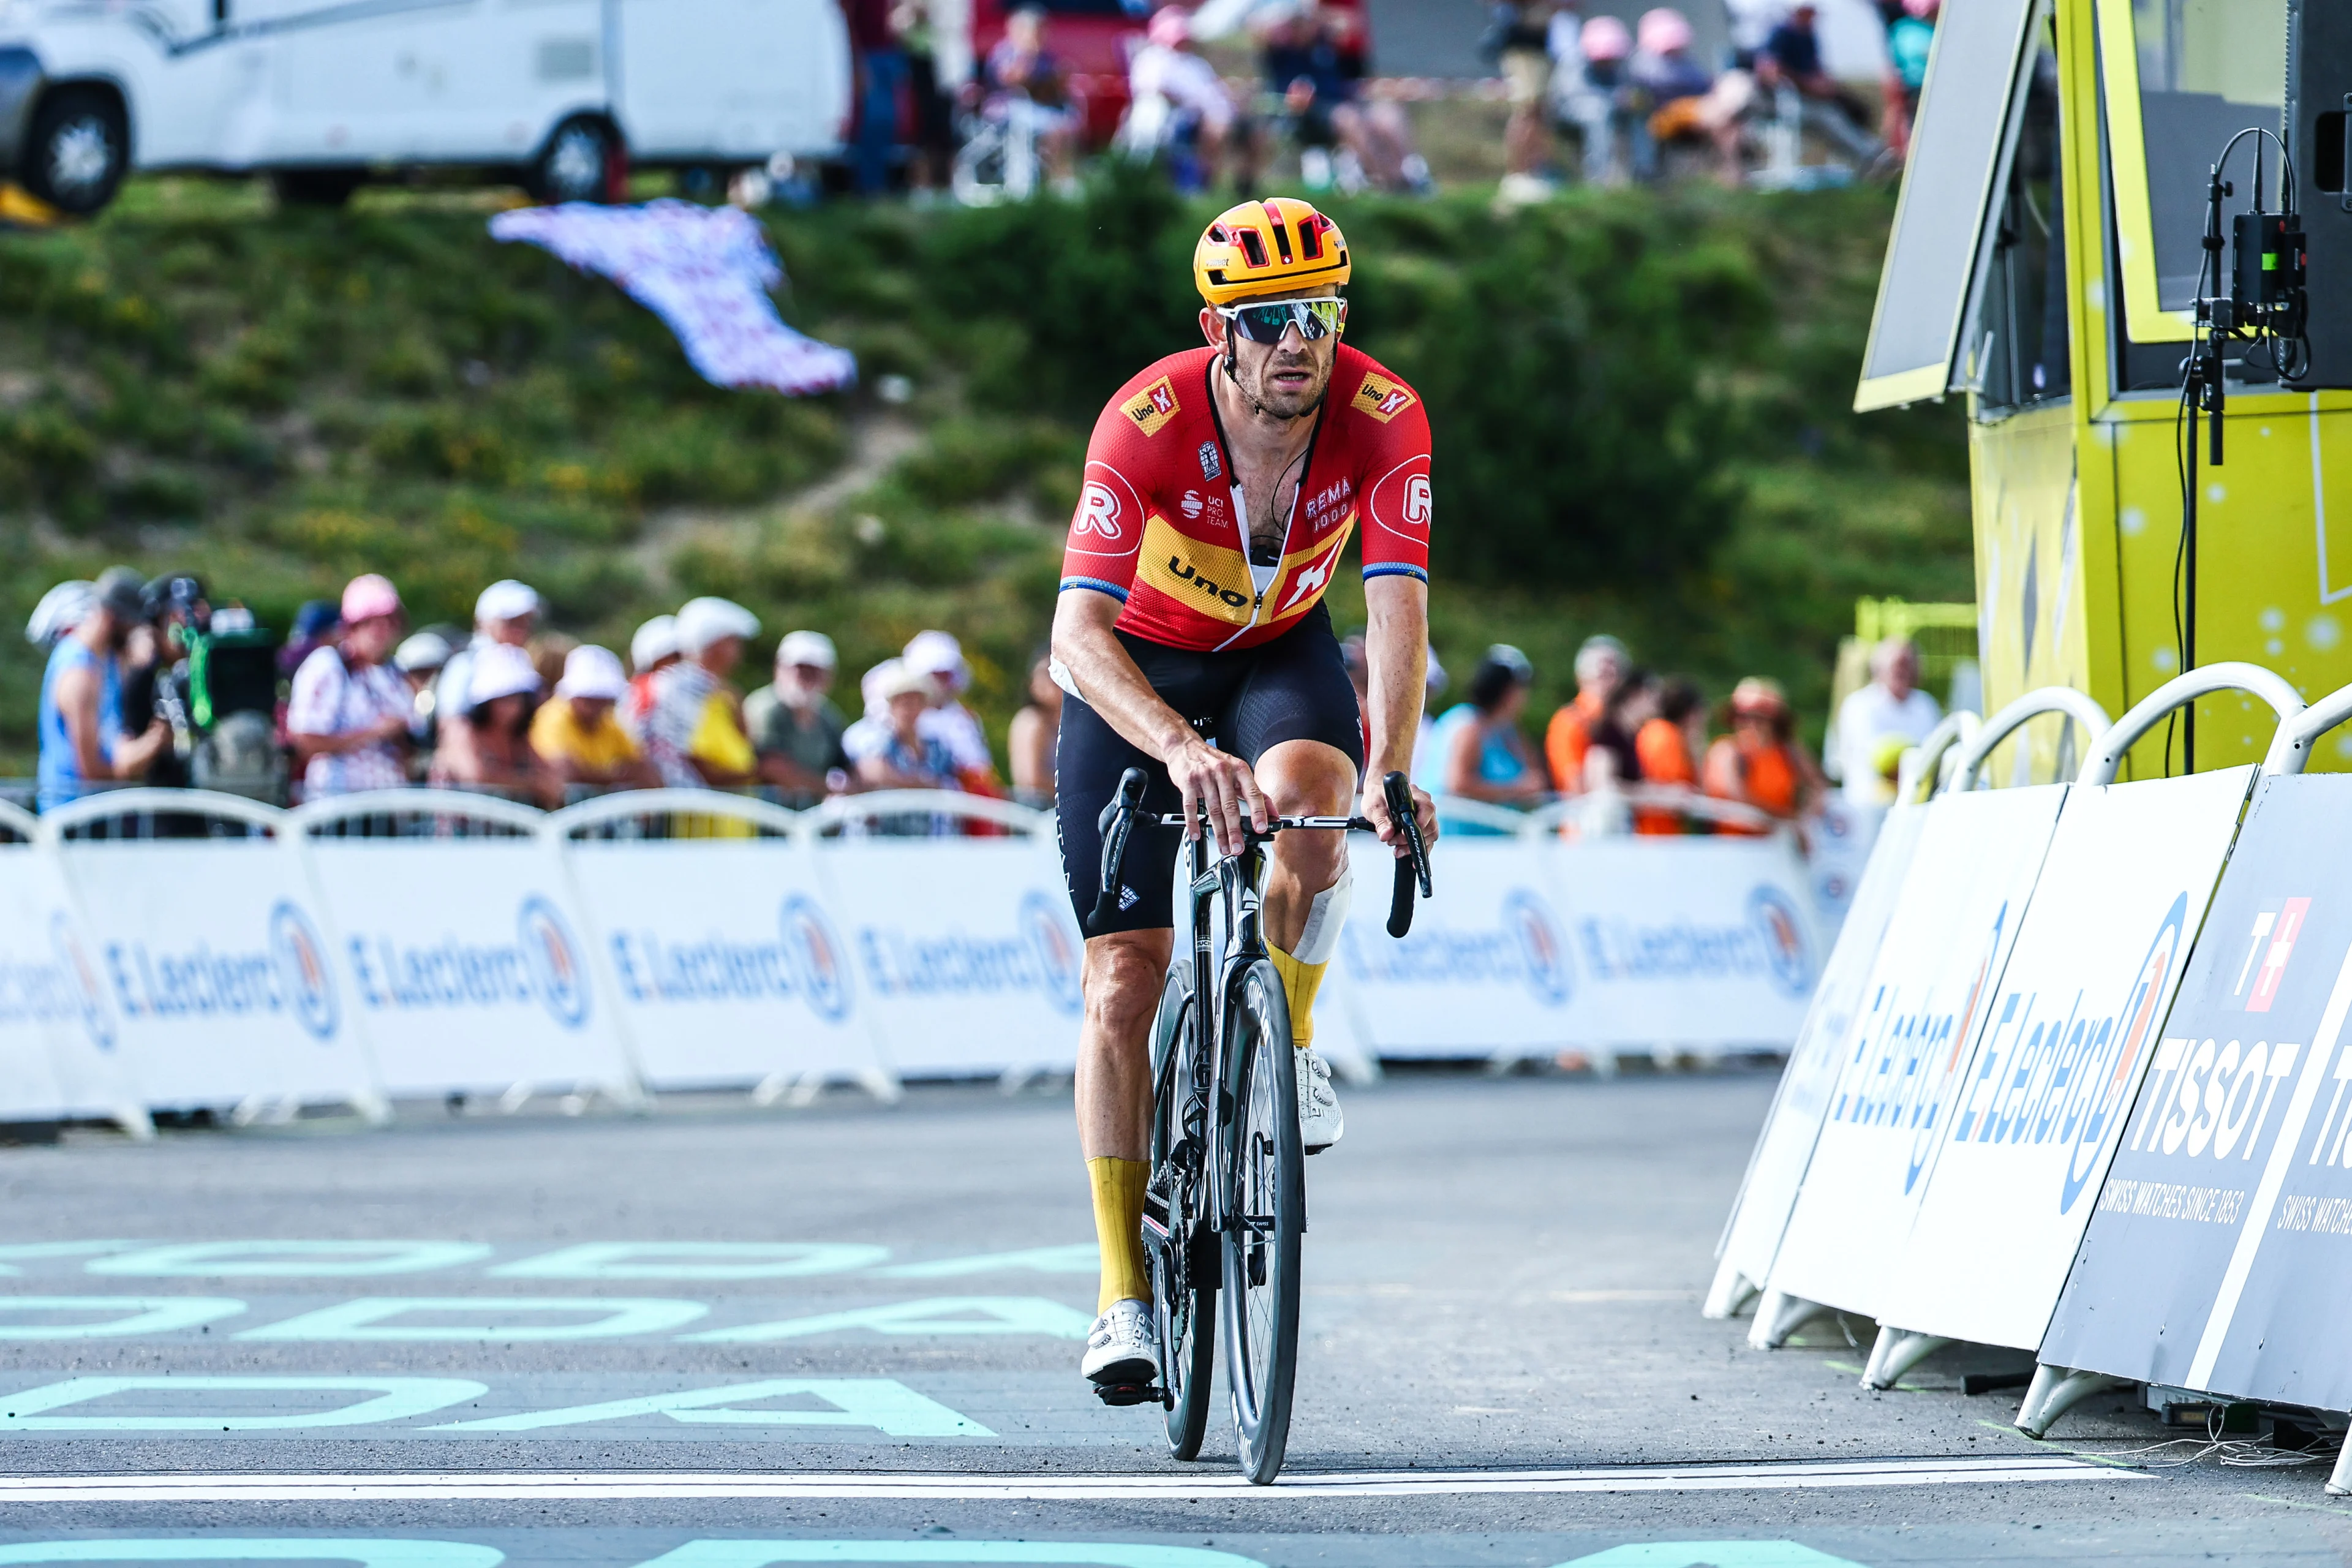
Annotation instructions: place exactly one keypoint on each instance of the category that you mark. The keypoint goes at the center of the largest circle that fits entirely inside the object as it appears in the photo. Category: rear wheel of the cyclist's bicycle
(1184, 1273)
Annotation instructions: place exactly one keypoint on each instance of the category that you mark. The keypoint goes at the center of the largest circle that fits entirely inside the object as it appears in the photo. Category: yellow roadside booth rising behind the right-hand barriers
(2078, 497)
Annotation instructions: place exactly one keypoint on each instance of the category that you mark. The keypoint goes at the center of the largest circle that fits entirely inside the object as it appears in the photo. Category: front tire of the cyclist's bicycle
(1267, 1188)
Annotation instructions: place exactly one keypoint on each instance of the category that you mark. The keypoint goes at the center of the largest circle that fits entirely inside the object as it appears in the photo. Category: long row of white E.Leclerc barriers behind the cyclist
(180, 951)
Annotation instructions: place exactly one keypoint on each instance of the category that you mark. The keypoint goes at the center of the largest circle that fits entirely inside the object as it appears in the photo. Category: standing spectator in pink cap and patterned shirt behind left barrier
(349, 711)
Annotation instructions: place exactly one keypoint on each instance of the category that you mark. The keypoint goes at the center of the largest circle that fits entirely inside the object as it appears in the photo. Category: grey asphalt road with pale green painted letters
(848, 1334)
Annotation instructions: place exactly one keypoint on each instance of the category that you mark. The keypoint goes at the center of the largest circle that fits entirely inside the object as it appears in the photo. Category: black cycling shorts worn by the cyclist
(1248, 702)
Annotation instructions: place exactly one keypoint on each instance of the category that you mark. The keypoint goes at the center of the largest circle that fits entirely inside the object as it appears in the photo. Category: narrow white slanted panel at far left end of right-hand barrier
(1793, 1125)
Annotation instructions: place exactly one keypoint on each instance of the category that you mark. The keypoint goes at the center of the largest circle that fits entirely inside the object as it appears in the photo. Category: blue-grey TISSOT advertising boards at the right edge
(2219, 1254)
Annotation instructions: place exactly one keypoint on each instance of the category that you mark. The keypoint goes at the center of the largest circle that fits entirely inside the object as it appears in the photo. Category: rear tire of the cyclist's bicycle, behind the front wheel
(1182, 1318)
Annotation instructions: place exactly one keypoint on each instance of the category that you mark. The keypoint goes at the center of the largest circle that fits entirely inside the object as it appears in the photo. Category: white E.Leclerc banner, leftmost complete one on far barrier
(215, 967)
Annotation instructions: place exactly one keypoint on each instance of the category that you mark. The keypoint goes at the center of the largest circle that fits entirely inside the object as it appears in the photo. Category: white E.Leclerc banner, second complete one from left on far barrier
(467, 965)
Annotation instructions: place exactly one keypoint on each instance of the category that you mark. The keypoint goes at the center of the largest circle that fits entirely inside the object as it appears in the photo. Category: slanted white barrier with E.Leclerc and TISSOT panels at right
(2120, 1137)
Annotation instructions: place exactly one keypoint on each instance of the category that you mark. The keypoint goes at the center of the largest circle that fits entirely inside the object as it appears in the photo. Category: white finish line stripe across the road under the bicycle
(457, 1487)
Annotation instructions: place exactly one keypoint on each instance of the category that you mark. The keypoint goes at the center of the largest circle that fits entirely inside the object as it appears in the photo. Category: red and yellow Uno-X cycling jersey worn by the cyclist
(1163, 530)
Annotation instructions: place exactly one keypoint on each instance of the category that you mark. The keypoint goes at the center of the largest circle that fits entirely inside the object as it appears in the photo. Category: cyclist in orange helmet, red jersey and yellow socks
(1222, 488)
